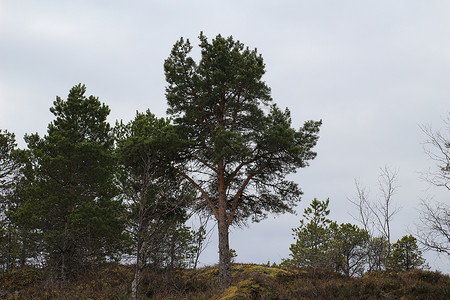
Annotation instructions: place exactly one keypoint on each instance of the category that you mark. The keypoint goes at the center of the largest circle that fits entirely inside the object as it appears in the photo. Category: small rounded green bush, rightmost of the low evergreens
(405, 255)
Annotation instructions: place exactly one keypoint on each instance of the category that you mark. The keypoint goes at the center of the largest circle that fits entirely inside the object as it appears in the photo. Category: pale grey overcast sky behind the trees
(373, 71)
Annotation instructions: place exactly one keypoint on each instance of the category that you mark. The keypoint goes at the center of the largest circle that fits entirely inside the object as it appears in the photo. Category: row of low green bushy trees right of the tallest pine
(346, 248)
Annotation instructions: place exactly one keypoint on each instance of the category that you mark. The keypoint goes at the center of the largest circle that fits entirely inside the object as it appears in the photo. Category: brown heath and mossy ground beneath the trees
(112, 281)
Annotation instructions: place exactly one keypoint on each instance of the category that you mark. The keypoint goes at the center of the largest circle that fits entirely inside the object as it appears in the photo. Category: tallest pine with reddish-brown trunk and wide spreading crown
(239, 149)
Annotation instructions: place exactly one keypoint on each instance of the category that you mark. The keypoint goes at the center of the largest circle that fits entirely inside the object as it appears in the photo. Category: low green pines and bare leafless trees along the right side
(354, 251)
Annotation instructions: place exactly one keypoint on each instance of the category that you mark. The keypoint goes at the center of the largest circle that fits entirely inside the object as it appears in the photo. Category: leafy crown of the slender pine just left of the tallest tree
(153, 192)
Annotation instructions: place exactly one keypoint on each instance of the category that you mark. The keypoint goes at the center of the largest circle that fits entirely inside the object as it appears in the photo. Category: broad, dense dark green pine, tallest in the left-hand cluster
(71, 199)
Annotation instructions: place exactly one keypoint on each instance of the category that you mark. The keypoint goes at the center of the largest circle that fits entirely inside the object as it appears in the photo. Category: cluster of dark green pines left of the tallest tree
(83, 194)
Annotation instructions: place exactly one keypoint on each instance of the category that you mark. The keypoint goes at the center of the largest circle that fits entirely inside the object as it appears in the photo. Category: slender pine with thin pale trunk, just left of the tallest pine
(155, 195)
